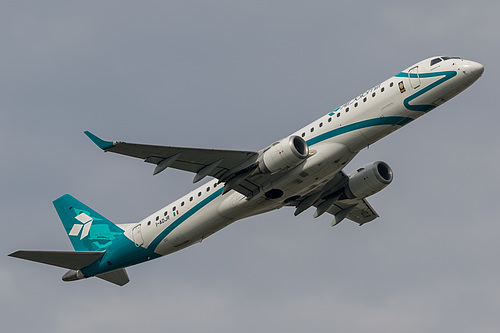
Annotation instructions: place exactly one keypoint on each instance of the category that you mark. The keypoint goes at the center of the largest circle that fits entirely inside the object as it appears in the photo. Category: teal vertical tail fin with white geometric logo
(86, 229)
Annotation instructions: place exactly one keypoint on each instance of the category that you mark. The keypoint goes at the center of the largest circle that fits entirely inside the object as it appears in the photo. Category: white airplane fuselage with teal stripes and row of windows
(333, 140)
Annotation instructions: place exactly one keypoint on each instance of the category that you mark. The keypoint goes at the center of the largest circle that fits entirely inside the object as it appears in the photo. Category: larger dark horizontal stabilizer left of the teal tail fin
(65, 259)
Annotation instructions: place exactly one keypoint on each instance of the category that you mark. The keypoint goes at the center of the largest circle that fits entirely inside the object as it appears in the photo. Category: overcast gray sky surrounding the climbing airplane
(238, 75)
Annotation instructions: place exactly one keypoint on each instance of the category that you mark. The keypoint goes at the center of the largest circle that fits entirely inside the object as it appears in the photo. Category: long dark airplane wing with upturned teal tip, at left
(225, 165)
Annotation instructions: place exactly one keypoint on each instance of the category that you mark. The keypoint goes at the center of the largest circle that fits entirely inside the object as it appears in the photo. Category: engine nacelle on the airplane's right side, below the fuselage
(368, 180)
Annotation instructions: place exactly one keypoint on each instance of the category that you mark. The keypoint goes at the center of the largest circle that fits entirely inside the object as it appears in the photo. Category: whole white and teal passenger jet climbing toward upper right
(302, 170)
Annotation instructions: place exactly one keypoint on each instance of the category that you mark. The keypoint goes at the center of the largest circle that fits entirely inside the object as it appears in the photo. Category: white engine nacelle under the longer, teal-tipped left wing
(284, 154)
